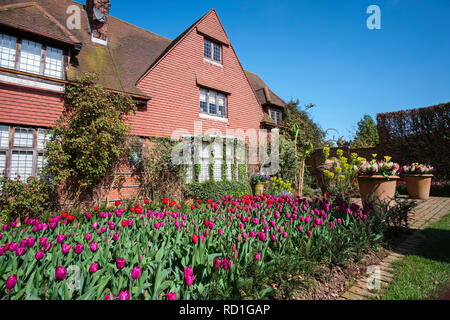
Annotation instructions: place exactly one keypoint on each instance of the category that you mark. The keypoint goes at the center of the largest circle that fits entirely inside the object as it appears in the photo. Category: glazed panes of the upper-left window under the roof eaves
(30, 57)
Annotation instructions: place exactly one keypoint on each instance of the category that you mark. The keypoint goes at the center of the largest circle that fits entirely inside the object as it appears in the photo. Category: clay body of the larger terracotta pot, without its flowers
(377, 187)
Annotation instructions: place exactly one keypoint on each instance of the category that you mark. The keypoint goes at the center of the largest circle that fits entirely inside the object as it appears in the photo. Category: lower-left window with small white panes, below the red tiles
(22, 151)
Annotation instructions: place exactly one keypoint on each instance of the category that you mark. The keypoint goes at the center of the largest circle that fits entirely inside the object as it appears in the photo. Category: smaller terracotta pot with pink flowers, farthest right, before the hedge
(418, 180)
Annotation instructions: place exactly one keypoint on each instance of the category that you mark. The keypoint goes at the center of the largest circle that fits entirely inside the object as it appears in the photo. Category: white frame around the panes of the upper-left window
(43, 56)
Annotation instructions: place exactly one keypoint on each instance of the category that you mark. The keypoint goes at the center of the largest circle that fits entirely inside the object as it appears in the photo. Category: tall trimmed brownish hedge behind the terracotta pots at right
(418, 135)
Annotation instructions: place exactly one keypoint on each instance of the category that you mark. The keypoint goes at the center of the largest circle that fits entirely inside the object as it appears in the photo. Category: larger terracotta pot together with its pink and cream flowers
(378, 179)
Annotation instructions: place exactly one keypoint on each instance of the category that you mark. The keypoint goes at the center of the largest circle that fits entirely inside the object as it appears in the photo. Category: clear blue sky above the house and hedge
(321, 51)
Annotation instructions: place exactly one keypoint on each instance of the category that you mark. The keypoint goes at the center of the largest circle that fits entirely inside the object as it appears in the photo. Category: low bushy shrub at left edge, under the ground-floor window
(24, 199)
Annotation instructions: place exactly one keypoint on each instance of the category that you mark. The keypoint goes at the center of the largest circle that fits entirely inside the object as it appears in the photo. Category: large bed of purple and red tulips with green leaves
(140, 252)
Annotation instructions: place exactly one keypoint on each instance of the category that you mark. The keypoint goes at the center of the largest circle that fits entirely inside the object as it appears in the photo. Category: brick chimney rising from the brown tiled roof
(97, 11)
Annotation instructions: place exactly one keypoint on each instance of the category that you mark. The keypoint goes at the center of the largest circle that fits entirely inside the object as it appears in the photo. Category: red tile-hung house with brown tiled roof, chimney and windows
(192, 85)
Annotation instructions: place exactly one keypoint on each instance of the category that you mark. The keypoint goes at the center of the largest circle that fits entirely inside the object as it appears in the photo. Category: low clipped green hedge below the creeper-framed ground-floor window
(215, 189)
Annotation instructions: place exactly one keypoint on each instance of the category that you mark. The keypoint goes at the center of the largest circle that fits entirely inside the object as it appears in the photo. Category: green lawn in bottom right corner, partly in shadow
(426, 274)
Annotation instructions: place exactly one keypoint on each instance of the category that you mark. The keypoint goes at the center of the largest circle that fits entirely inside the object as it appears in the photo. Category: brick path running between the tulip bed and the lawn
(426, 213)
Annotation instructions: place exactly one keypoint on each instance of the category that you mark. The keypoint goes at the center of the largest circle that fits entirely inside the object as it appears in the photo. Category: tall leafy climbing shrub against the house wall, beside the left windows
(88, 140)
